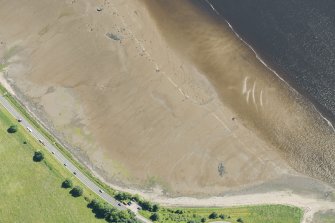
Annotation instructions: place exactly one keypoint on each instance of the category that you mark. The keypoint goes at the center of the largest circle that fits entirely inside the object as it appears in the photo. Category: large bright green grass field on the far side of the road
(31, 191)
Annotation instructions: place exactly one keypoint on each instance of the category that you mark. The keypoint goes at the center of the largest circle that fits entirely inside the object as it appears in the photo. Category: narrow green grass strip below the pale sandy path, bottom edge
(249, 214)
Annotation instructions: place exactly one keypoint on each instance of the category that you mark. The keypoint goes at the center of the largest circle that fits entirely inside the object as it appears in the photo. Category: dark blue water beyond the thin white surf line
(295, 37)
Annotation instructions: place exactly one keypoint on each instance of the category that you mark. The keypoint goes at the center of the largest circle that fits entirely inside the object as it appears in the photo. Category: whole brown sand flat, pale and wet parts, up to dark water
(139, 112)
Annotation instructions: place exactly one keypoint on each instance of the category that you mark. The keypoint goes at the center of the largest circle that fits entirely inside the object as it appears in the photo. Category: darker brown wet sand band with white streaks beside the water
(262, 99)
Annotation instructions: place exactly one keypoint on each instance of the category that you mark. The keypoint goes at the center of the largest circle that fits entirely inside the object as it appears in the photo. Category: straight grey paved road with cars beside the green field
(59, 156)
